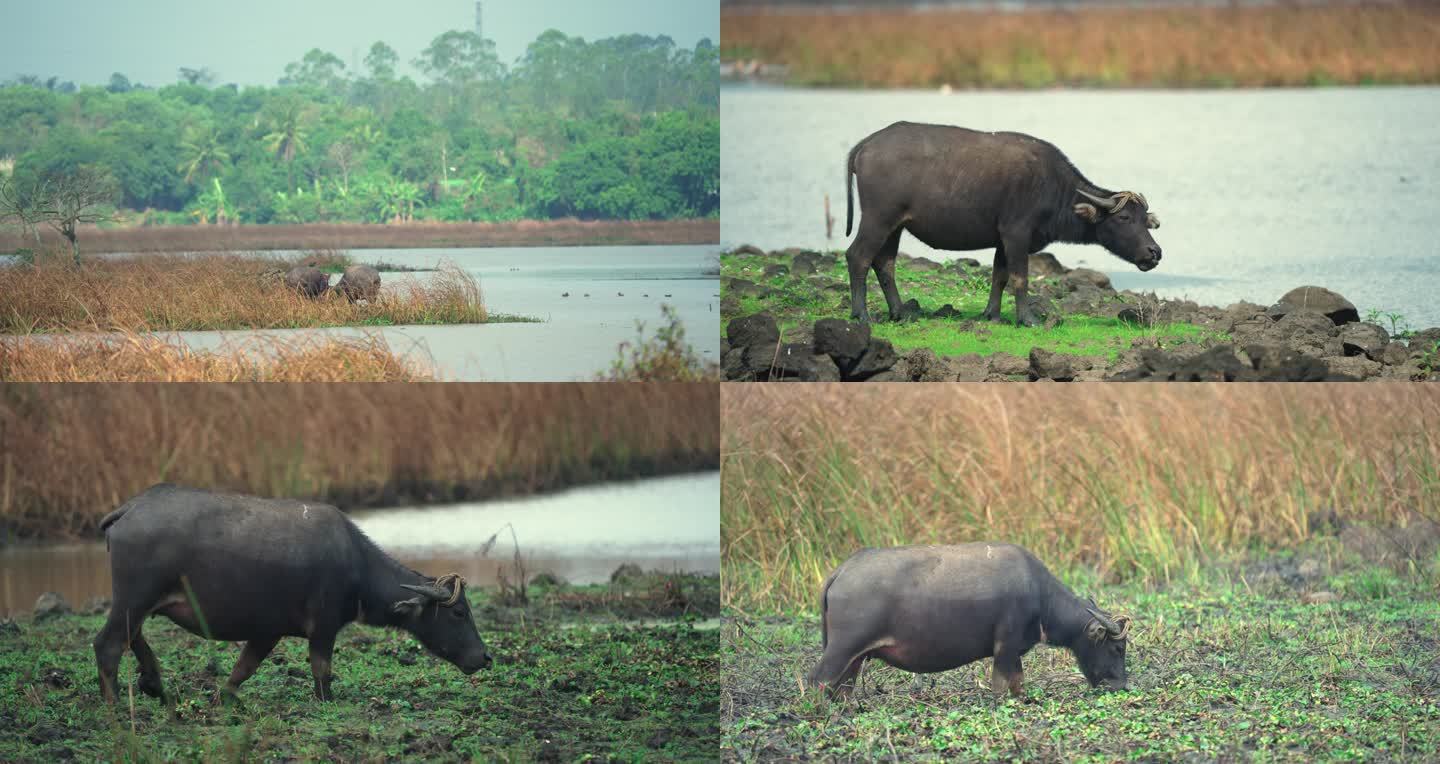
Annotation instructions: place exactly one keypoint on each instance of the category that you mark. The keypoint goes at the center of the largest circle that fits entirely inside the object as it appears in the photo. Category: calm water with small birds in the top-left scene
(580, 336)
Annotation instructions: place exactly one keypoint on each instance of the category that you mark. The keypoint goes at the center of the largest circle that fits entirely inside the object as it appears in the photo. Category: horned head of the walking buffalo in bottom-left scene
(440, 618)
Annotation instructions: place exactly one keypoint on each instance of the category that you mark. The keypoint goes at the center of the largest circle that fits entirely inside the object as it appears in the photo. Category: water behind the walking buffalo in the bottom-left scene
(581, 535)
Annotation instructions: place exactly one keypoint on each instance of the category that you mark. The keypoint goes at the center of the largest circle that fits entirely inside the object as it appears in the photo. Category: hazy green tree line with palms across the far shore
(623, 129)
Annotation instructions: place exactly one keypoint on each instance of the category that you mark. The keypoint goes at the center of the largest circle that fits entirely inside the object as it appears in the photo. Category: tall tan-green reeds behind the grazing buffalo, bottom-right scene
(1135, 483)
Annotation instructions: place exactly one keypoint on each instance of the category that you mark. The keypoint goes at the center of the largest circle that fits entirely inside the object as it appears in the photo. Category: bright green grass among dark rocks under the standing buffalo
(798, 303)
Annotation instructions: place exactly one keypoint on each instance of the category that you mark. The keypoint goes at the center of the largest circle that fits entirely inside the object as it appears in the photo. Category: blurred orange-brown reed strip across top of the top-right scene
(1196, 47)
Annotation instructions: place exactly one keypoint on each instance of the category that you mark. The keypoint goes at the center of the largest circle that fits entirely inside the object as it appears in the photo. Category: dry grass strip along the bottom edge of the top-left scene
(132, 358)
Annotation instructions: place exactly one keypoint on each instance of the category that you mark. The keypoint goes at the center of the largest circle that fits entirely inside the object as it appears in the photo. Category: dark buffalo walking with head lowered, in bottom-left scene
(235, 569)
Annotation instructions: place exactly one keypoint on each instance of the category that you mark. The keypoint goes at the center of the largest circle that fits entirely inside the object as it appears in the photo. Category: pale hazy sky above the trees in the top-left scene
(251, 41)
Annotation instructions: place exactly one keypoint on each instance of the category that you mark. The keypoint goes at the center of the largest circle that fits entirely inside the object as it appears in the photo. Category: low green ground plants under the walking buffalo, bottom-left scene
(571, 680)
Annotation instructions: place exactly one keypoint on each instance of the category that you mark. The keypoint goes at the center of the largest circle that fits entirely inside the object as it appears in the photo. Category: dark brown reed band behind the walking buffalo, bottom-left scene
(71, 454)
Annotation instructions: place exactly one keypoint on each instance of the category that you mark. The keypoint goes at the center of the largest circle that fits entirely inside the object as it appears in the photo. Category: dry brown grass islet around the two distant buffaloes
(178, 293)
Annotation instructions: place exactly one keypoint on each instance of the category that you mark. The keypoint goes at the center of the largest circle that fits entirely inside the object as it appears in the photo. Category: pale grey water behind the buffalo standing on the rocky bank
(1258, 191)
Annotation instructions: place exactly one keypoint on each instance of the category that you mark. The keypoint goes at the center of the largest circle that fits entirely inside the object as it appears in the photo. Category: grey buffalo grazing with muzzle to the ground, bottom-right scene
(932, 609)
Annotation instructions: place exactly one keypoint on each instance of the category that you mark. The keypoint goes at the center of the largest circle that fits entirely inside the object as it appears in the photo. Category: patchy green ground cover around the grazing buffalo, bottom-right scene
(1222, 668)
